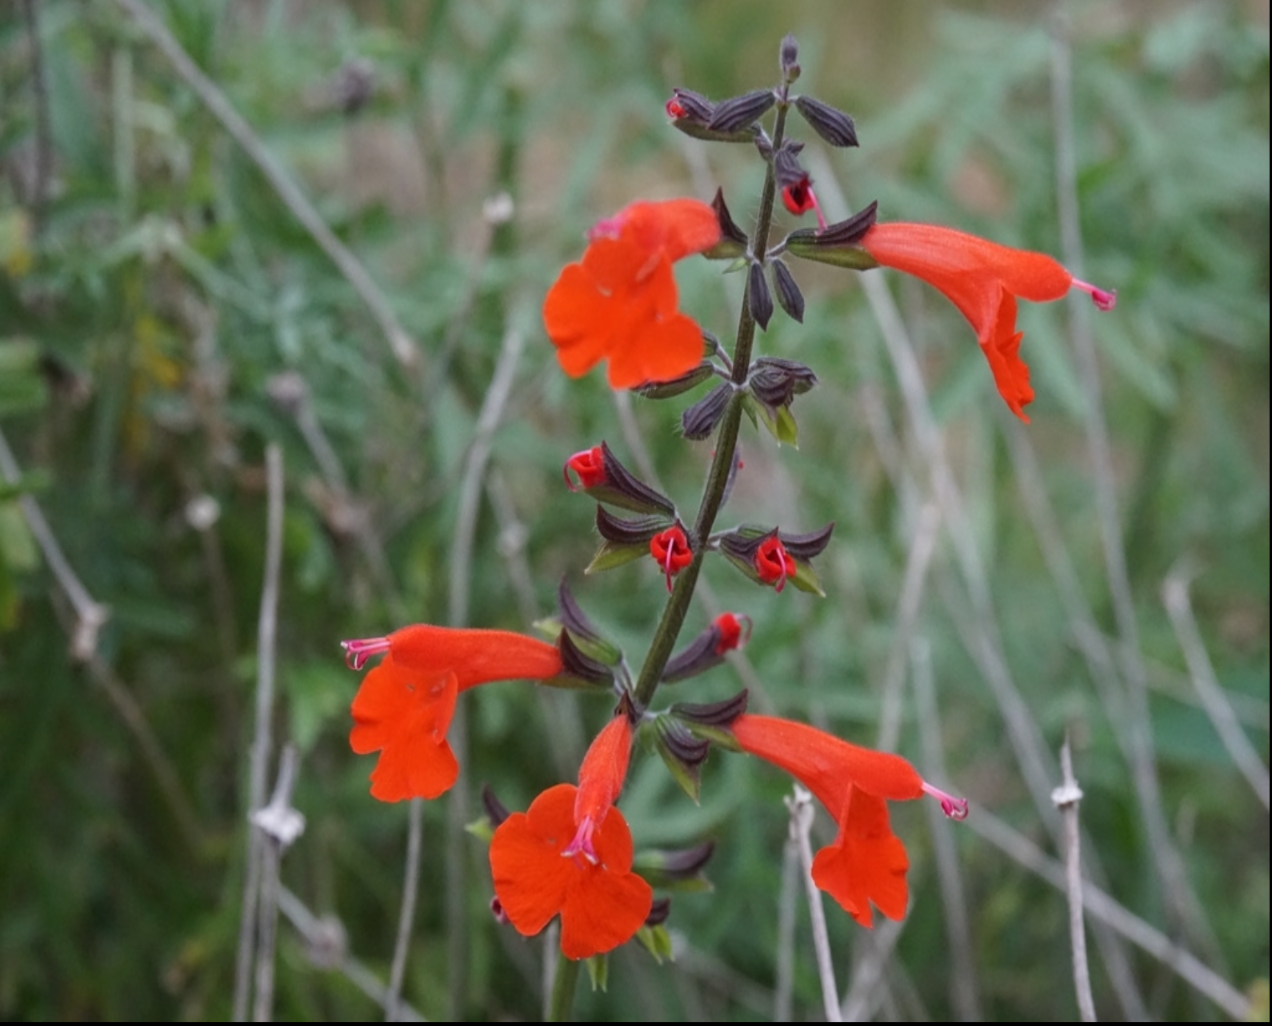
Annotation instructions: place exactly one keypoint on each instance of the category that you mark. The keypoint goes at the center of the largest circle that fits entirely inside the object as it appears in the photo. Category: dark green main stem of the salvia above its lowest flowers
(727, 446)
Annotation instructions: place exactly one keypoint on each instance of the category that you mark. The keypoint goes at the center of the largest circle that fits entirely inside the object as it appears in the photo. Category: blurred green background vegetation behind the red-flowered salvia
(166, 318)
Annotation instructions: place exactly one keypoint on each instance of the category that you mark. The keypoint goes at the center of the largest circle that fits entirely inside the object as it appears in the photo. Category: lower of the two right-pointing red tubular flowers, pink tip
(867, 863)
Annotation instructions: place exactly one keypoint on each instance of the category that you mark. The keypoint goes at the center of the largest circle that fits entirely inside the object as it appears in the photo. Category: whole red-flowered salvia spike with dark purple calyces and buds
(572, 856)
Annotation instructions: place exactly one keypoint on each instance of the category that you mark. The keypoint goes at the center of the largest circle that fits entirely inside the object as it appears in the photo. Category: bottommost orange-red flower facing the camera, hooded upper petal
(570, 855)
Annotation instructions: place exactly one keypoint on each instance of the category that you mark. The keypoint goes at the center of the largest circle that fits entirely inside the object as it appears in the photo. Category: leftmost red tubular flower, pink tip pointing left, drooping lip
(405, 705)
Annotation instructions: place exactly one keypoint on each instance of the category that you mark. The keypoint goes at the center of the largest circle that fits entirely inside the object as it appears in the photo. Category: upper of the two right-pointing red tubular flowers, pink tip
(984, 280)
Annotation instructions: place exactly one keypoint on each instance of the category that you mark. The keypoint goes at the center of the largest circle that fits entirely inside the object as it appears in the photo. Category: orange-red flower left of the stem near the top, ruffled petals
(620, 302)
